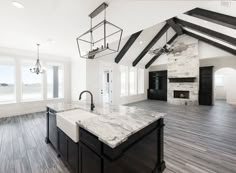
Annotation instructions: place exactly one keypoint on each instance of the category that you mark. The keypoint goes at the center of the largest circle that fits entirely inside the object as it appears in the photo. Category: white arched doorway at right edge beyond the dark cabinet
(225, 85)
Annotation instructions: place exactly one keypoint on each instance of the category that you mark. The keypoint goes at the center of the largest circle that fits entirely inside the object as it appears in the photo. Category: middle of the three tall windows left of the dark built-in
(133, 81)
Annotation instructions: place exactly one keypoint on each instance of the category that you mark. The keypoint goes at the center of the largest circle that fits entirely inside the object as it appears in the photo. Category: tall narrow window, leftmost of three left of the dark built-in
(124, 80)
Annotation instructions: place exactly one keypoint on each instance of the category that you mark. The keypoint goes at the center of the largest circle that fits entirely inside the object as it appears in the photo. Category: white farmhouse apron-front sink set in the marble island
(66, 121)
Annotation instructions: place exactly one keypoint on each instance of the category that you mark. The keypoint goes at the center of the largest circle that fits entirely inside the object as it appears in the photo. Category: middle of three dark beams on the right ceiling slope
(223, 37)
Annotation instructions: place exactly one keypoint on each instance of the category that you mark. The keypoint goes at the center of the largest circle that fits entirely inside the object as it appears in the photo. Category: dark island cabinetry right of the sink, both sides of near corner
(141, 153)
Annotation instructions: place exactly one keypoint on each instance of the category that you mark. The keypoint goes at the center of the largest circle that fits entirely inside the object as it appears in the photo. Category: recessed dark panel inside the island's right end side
(139, 158)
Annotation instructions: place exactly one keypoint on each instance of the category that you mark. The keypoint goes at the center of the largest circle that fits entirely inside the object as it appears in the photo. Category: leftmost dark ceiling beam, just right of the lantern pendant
(127, 45)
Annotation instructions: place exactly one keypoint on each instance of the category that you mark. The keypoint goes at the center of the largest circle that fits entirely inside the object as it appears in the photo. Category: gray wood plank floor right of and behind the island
(198, 139)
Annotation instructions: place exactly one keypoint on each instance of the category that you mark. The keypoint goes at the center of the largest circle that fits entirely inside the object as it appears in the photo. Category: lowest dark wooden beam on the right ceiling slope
(213, 43)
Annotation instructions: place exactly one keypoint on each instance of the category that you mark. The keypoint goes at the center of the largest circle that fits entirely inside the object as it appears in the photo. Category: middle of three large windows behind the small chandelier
(31, 83)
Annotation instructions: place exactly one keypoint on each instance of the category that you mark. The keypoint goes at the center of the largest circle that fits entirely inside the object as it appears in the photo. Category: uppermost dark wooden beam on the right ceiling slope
(221, 19)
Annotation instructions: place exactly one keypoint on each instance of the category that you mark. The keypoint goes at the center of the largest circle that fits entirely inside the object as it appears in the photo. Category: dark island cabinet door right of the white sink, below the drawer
(89, 161)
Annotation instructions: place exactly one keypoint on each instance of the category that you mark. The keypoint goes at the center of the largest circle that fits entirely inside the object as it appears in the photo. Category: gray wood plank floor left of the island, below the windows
(22, 146)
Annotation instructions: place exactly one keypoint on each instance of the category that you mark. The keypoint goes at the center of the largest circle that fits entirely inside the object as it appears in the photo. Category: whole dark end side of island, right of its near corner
(141, 153)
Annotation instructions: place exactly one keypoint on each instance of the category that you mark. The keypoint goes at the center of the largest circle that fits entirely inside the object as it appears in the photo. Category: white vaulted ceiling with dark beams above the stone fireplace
(213, 24)
